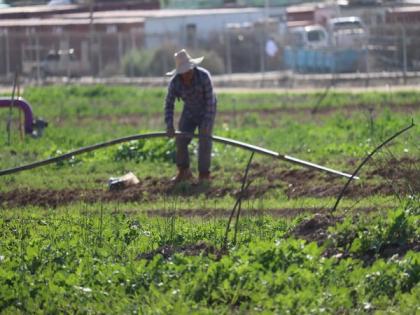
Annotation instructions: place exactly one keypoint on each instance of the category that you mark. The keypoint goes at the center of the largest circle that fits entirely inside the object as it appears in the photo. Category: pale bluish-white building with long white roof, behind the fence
(184, 26)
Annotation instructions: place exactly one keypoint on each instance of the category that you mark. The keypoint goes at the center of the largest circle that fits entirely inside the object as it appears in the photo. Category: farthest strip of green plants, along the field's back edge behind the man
(114, 101)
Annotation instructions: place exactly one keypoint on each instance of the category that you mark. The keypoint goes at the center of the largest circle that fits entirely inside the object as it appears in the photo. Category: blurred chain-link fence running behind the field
(237, 50)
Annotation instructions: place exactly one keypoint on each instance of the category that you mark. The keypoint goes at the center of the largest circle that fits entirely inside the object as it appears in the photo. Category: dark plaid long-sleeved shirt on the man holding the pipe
(199, 99)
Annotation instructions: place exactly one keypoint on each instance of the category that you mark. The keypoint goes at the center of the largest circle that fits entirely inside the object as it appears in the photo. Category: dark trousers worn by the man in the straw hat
(189, 125)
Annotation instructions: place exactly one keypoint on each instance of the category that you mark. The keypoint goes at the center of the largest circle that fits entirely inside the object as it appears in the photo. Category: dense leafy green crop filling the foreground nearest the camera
(87, 260)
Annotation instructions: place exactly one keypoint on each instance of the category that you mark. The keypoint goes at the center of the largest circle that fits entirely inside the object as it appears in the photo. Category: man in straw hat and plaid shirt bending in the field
(191, 84)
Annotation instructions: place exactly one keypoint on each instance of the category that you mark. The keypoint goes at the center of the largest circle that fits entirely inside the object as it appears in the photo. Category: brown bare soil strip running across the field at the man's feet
(396, 178)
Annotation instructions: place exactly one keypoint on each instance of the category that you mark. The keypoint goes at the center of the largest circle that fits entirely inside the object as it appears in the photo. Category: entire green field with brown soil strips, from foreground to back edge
(68, 244)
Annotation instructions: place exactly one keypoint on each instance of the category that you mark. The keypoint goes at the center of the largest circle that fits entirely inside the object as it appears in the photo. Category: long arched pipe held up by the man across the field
(227, 141)
